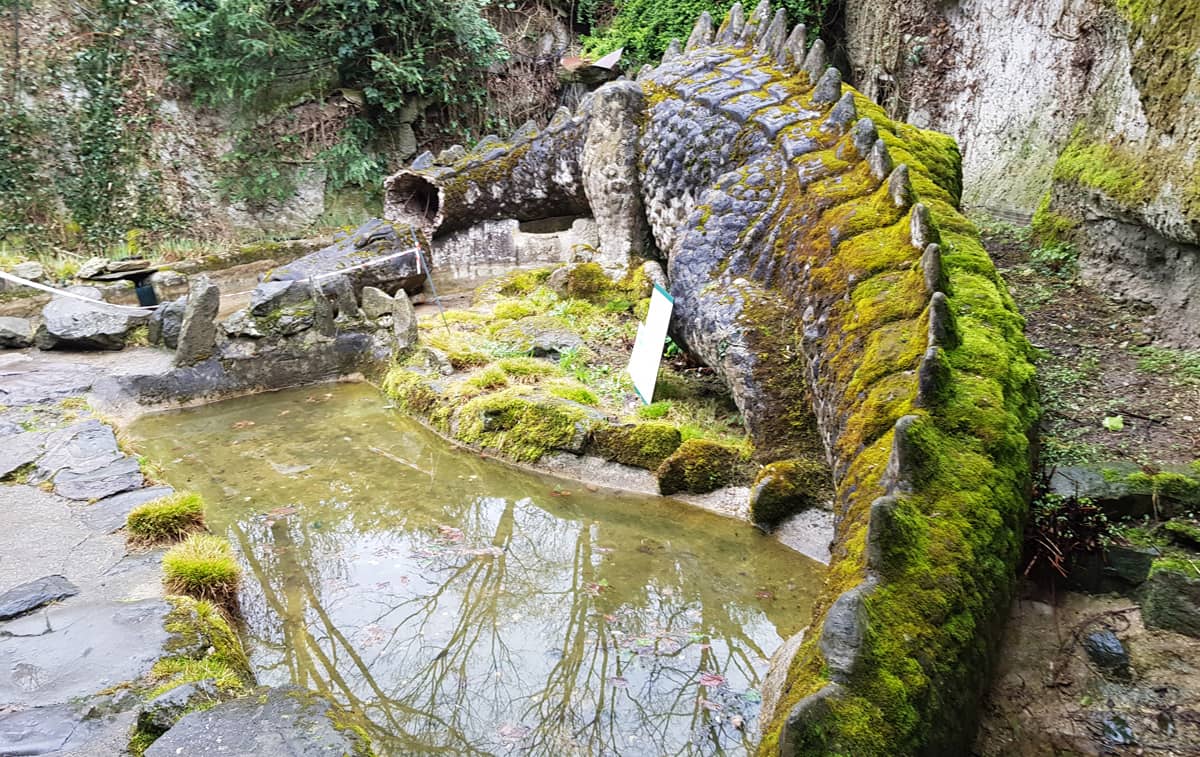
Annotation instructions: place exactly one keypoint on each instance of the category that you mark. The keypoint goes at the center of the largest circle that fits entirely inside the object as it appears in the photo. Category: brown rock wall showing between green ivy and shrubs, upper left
(173, 170)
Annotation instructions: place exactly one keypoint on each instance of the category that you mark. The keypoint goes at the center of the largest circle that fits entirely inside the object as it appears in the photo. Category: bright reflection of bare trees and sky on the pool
(435, 669)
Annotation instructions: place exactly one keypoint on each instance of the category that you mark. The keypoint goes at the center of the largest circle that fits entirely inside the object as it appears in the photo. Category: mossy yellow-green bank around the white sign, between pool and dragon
(531, 367)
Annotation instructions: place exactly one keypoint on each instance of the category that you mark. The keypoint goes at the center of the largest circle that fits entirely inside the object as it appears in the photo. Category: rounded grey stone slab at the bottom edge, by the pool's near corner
(273, 723)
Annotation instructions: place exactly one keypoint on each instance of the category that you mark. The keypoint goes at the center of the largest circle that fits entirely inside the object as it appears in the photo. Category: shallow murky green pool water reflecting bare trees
(469, 609)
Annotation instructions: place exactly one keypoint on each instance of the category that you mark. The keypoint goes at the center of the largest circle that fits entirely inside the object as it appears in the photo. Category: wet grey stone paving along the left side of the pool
(80, 614)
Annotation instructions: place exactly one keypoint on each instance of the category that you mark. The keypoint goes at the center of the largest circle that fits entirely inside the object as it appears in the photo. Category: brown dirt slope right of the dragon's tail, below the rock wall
(1099, 359)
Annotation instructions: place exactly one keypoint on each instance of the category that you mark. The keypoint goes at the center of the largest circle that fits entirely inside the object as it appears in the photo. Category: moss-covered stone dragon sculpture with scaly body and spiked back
(820, 265)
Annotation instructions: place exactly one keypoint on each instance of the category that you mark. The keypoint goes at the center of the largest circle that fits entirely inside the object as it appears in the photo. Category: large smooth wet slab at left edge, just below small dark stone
(79, 648)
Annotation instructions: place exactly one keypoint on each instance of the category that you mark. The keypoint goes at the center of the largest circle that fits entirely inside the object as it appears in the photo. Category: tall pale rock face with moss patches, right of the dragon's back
(1082, 115)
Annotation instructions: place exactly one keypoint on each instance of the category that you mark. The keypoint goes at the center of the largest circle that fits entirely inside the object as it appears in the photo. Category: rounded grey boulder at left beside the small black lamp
(75, 325)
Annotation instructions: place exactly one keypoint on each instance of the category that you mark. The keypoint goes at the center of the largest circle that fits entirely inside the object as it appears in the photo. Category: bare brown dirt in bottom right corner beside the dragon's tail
(1049, 699)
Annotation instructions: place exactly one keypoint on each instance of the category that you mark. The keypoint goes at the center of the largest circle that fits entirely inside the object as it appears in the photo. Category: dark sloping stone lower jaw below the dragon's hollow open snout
(375, 255)
